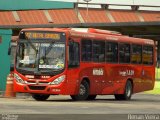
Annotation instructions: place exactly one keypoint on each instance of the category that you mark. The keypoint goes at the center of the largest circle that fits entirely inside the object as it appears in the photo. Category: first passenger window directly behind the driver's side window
(86, 47)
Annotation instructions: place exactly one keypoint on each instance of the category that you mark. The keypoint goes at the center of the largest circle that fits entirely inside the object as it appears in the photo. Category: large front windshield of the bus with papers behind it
(40, 57)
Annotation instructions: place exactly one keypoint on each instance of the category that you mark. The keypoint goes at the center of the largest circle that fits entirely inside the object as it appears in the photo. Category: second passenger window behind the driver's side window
(98, 51)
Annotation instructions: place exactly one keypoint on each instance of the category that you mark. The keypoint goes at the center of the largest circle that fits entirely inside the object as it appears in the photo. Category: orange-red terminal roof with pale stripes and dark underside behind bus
(132, 22)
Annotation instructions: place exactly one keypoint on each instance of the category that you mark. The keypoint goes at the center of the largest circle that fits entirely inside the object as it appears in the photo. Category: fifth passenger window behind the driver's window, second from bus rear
(136, 57)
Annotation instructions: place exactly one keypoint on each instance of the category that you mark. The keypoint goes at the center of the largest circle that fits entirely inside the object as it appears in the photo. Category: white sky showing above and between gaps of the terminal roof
(123, 2)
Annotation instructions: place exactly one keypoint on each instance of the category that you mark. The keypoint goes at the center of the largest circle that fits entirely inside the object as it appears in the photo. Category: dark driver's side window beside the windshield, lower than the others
(73, 55)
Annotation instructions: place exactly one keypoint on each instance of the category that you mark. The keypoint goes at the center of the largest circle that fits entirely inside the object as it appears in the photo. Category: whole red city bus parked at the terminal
(82, 63)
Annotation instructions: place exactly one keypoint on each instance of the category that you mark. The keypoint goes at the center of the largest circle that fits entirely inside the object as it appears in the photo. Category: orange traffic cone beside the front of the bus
(9, 93)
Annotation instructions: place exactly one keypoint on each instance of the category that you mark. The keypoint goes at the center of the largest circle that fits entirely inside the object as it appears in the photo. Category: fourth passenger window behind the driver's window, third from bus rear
(124, 53)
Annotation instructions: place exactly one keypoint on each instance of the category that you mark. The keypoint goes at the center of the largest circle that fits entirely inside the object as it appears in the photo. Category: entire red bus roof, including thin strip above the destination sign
(91, 33)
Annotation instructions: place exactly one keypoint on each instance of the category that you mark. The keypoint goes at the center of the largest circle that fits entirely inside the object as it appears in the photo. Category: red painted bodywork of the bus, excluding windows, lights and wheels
(111, 78)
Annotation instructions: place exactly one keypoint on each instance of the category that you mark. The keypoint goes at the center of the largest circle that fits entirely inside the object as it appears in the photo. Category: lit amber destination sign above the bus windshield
(42, 35)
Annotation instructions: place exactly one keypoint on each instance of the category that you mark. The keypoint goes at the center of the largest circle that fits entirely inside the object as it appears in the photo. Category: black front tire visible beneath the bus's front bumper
(40, 97)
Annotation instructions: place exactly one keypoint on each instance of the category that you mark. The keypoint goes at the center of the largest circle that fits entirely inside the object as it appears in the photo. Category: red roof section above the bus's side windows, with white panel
(107, 35)
